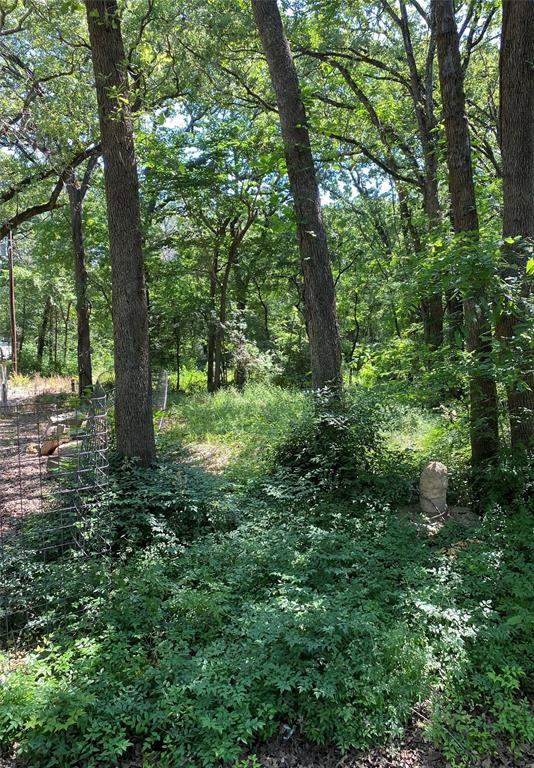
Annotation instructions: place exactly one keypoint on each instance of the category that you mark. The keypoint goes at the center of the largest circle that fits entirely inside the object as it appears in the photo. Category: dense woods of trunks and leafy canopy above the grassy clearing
(400, 104)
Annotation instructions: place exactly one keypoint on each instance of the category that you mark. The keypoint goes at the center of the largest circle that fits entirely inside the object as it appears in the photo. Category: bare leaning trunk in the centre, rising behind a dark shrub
(320, 301)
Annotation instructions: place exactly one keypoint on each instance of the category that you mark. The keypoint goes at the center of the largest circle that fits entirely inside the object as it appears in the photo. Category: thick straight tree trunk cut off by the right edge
(517, 148)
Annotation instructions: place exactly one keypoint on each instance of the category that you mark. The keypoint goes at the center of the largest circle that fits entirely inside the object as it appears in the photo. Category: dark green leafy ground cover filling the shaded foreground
(300, 601)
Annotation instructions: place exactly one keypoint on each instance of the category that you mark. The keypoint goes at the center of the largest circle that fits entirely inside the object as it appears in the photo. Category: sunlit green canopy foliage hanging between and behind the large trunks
(212, 168)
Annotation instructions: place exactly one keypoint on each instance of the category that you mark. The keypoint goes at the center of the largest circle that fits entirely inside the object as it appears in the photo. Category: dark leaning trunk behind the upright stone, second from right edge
(483, 393)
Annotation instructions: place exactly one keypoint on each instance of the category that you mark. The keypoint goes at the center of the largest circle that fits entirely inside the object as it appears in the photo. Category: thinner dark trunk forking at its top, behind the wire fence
(76, 191)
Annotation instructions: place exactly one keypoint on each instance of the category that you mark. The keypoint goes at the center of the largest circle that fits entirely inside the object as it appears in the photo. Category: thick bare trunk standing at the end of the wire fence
(133, 407)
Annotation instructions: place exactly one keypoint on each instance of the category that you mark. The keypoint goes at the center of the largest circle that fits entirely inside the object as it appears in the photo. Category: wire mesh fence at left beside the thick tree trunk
(53, 462)
